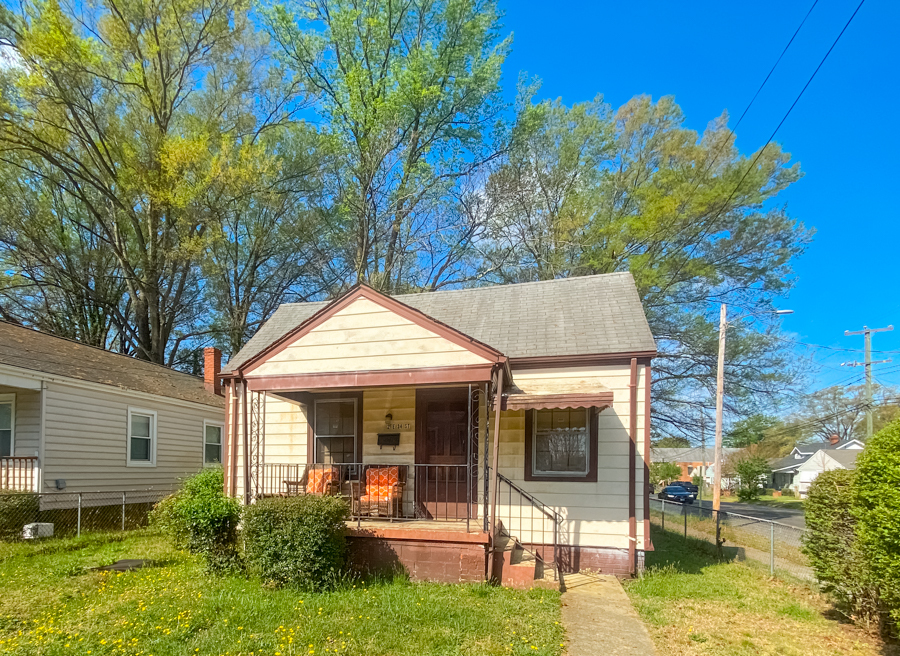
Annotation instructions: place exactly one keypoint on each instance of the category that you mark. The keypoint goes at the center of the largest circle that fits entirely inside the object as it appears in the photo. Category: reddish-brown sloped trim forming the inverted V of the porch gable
(363, 291)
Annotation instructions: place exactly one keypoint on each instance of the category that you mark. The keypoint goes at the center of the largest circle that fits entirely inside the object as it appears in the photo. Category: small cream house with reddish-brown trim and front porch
(489, 432)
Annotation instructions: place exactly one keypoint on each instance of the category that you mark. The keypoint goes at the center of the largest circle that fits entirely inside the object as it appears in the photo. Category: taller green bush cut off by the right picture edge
(877, 508)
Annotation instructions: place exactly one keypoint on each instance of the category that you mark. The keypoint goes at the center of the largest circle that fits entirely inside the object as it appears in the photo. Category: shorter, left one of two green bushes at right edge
(834, 551)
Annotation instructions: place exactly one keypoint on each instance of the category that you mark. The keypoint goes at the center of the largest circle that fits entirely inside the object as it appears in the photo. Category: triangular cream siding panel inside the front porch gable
(366, 337)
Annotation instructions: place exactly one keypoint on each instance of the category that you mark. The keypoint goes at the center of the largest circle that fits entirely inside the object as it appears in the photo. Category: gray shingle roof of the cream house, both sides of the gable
(571, 316)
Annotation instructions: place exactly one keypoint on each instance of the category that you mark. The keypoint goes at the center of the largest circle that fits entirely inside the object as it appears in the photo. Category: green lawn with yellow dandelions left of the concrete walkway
(52, 604)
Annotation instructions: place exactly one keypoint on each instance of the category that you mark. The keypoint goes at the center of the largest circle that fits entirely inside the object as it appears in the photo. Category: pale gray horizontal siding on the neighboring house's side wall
(86, 440)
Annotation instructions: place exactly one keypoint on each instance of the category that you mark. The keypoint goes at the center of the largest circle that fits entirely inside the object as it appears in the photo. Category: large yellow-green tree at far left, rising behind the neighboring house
(126, 110)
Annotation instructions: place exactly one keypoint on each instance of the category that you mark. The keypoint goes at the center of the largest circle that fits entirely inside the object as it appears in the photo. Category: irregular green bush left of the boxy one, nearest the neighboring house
(201, 519)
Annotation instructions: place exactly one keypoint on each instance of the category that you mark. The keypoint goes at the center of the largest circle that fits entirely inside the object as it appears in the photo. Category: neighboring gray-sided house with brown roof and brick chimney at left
(79, 418)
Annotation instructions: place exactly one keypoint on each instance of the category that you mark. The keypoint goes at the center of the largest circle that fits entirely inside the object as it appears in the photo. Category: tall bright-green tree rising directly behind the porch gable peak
(409, 96)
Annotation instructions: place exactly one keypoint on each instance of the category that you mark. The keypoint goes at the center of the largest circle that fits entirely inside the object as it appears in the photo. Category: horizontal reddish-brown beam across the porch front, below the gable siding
(388, 378)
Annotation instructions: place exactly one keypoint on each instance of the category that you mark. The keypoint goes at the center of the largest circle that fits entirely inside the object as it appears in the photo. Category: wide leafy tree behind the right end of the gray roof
(587, 190)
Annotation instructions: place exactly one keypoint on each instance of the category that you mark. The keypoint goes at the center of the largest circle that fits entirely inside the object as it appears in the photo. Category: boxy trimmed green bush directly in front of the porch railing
(299, 541)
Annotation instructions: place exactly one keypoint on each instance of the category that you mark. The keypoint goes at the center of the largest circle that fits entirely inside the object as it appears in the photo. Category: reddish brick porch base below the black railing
(426, 555)
